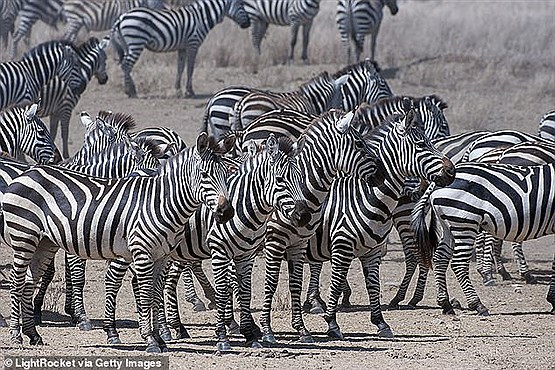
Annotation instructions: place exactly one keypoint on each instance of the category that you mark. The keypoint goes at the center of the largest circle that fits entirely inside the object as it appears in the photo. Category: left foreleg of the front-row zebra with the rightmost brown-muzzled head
(339, 267)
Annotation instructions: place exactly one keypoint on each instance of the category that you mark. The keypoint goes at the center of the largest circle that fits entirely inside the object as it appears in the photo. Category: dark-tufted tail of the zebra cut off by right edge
(425, 239)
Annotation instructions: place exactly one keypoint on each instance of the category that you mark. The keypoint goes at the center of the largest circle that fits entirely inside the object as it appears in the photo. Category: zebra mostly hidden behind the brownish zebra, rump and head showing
(364, 84)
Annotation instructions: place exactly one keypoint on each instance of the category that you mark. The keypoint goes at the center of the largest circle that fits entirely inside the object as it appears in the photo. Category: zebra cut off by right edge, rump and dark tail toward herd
(510, 202)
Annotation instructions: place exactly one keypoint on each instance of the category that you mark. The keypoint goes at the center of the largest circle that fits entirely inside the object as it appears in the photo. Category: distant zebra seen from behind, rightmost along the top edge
(358, 18)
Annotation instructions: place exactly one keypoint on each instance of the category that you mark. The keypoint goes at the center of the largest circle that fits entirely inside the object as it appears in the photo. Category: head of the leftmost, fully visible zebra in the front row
(209, 175)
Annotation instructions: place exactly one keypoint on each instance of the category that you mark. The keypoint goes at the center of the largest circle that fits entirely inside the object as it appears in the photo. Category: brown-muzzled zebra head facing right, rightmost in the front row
(406, 151)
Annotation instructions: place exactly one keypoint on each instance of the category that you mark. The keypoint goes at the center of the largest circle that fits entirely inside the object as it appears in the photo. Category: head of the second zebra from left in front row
(286, 180)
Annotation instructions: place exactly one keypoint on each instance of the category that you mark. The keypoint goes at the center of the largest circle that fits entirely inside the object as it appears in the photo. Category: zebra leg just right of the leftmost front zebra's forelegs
(171, 301)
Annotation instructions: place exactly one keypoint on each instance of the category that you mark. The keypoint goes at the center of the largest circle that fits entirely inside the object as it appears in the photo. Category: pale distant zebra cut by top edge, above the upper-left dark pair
(98, 15)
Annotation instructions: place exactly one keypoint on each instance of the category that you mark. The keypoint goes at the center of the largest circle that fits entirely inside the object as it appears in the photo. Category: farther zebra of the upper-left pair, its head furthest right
(58, 100)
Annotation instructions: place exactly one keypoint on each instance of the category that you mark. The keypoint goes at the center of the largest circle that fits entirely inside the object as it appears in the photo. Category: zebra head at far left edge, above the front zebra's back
(35, 139)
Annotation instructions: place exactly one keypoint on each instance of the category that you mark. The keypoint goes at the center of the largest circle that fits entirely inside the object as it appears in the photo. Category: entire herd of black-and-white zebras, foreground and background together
(320, 173)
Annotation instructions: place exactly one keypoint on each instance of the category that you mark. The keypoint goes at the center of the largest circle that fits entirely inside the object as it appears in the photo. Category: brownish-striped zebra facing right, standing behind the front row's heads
(313, 97)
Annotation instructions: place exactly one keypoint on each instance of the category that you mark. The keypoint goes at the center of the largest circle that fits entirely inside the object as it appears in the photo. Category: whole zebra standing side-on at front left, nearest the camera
(136, 218)
